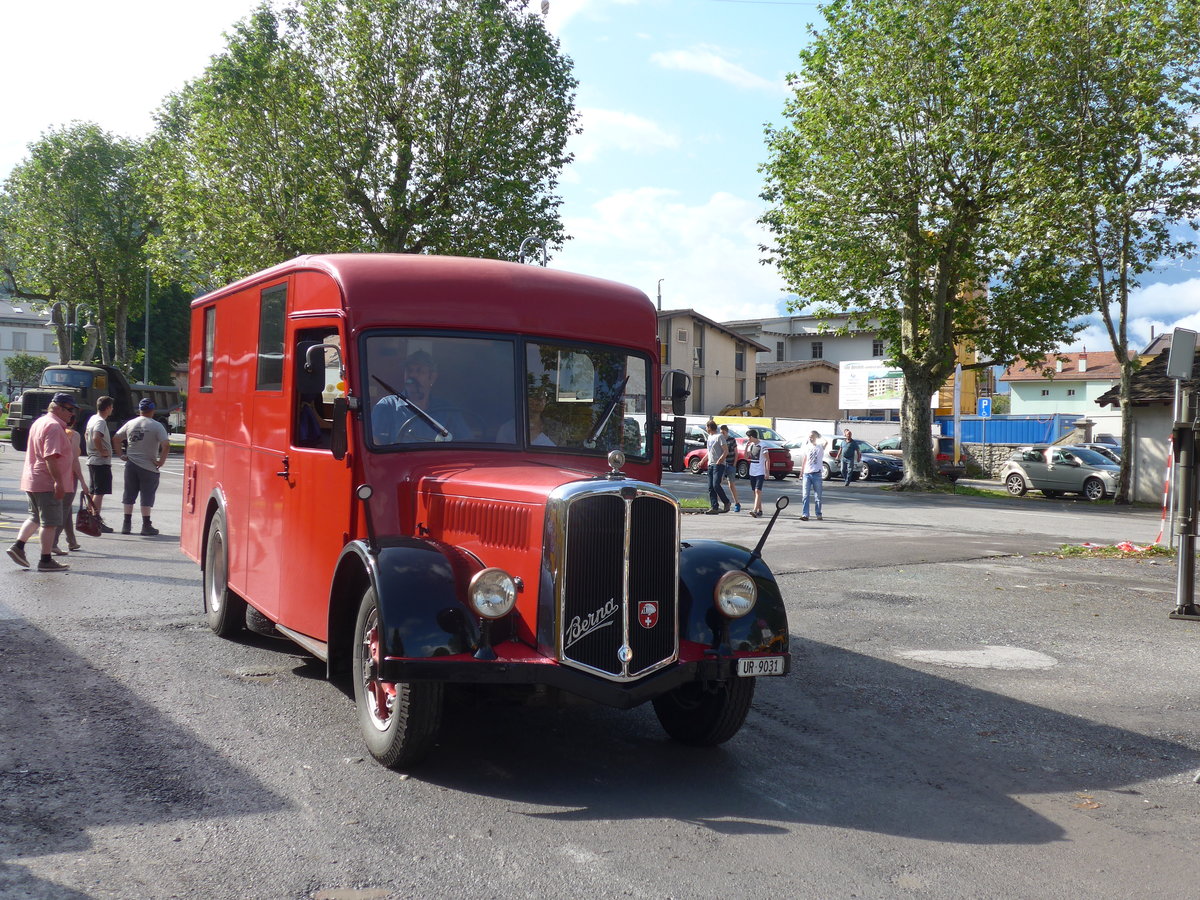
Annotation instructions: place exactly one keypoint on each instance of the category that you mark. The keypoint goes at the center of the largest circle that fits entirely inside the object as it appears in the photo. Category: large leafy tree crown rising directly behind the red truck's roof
(380, 125)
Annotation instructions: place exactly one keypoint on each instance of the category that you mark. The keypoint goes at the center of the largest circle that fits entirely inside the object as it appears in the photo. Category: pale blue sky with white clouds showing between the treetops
(664, 193)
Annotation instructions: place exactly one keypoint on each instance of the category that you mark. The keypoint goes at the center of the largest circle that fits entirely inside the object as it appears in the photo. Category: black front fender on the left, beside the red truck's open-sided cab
(422, 589)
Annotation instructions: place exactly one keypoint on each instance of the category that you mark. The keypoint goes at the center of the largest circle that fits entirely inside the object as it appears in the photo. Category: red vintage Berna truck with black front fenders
(433, 471)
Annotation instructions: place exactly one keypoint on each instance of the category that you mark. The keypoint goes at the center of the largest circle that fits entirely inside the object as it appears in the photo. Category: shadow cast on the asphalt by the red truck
(847, 742)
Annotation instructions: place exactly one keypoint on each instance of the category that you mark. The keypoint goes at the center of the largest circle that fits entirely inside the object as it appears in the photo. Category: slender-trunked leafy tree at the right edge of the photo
(1126, 142)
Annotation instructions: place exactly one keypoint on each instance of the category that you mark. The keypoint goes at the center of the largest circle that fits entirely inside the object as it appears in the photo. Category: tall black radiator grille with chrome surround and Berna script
(611, 547)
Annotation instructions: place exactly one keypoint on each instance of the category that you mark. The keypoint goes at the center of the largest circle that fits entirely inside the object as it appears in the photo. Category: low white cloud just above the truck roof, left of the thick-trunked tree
(707, 255)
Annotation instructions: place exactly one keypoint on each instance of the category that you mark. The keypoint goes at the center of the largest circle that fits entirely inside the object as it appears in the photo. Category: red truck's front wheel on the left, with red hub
(399, 721)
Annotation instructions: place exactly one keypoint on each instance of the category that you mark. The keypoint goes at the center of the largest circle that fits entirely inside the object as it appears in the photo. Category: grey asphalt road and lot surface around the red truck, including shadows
(965, 718)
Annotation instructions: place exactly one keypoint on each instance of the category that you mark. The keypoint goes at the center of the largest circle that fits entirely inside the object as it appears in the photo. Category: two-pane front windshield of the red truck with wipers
(425, 389)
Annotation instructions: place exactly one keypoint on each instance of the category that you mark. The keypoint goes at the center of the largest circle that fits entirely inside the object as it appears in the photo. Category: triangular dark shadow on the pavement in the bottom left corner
(69, 733)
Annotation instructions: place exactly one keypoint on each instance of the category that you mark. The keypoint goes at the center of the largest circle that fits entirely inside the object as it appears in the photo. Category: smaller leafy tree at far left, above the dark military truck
(73, 229)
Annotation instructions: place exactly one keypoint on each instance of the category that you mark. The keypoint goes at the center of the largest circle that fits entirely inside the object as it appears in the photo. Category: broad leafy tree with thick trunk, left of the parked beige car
(897, 193)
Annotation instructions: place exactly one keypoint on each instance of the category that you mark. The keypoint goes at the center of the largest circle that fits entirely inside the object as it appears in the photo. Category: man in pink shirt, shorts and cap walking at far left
(45, 479)
